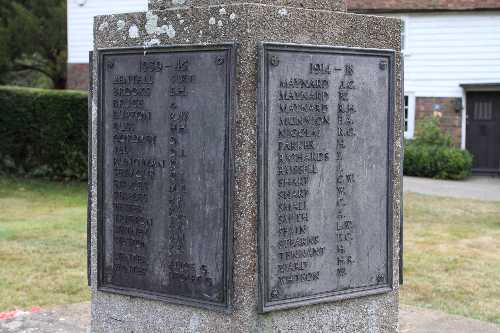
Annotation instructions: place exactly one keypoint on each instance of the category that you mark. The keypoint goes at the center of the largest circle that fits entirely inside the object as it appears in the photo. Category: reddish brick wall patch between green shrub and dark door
(445, 109)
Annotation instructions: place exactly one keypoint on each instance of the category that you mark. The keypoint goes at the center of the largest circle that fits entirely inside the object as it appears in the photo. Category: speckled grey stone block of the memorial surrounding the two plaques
(248, 24)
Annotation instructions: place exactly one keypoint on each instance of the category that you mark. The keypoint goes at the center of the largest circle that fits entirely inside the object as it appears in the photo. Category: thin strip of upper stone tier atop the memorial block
(336, 5)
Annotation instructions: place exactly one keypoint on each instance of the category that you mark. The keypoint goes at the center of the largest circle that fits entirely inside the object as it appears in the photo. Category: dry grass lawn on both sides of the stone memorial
(452, 249)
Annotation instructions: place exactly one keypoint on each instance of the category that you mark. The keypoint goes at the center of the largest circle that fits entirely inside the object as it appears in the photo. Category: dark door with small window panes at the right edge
(483, 130)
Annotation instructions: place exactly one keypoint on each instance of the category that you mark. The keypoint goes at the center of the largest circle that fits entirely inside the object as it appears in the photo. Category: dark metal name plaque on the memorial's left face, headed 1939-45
(165, 173)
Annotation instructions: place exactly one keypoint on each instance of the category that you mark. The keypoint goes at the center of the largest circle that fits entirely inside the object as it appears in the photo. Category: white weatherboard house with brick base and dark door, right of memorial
(452, 69)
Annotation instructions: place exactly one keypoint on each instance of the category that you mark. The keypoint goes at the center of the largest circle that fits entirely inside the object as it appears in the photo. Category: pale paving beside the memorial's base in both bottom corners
(75, 318)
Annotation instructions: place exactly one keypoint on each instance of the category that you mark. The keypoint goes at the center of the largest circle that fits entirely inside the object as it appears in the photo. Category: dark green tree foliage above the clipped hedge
(33, 39)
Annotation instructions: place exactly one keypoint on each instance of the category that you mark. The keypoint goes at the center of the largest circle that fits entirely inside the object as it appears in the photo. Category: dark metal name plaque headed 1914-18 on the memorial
(325, 127)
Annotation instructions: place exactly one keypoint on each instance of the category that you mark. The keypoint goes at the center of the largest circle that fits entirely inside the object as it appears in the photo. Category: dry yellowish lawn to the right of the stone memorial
(452, 256)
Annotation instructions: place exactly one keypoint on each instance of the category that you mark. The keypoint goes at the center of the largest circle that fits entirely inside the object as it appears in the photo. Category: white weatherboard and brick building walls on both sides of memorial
(442, 50)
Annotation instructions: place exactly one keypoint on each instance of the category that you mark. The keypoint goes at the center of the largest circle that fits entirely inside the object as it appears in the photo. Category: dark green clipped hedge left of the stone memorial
(44, 133)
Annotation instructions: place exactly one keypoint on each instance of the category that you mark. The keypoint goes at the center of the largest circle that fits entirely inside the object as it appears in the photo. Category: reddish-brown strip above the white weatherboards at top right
(420, 5)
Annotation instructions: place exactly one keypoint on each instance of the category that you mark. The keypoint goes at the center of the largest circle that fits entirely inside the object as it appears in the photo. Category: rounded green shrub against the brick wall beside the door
(431, 154)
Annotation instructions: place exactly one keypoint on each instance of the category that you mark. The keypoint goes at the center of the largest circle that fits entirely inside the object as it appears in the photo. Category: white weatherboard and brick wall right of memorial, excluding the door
(442, 51)
